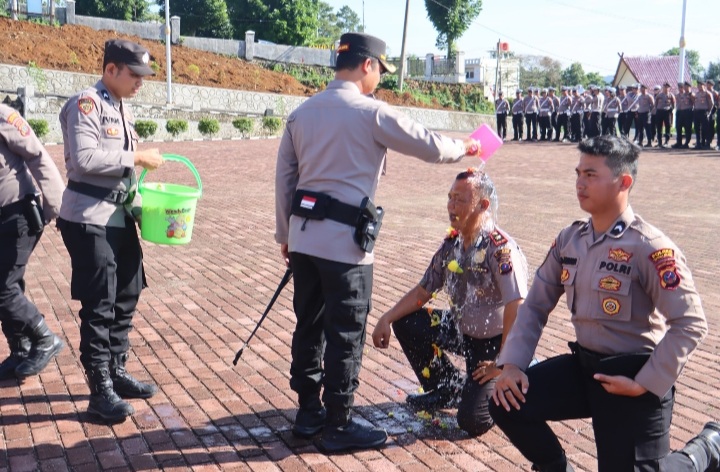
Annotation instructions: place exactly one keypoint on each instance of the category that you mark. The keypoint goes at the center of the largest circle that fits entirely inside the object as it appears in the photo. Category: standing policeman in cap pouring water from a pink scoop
(329, 162)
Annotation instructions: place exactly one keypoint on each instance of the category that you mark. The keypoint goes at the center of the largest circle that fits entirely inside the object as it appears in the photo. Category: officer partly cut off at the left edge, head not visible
(22, 158)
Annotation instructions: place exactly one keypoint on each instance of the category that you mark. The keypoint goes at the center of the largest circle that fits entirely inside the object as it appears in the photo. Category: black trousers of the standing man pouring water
(331, 303)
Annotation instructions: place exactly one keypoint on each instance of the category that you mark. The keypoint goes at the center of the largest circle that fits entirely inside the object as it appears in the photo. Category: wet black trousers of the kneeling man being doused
(416, 335)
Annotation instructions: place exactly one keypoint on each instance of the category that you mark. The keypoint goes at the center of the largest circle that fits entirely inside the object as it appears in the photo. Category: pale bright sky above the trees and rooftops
(592, 32)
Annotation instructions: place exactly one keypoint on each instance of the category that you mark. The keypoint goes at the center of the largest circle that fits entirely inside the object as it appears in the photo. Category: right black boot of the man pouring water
(341, 433)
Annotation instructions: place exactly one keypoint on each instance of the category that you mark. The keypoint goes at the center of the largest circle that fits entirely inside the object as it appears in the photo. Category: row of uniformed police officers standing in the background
(579, 113)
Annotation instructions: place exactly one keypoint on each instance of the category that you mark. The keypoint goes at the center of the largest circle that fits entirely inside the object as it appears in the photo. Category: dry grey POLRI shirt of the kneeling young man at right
(628, 291)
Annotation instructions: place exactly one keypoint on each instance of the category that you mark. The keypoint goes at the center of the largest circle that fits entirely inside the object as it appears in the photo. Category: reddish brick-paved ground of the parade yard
(205, 298)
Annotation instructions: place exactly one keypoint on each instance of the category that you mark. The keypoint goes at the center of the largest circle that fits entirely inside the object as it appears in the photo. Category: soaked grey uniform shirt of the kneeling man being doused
(492, 273)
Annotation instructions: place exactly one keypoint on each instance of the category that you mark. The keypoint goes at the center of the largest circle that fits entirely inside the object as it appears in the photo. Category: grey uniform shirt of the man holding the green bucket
(99, 142)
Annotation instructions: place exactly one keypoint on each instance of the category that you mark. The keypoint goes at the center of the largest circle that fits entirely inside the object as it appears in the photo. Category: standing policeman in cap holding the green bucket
(97, 220)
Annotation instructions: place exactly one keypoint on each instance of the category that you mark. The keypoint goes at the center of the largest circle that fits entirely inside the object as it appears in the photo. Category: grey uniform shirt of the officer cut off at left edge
(22, 157)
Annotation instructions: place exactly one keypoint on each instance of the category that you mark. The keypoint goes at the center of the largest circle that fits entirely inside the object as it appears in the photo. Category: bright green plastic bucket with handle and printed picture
(168, 209)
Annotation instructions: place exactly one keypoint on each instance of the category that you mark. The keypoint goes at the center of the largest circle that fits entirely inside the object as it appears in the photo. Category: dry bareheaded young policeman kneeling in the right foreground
(637, 318)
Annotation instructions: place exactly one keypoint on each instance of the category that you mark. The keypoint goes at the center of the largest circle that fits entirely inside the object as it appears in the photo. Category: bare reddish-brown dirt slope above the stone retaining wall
(80, 49)
